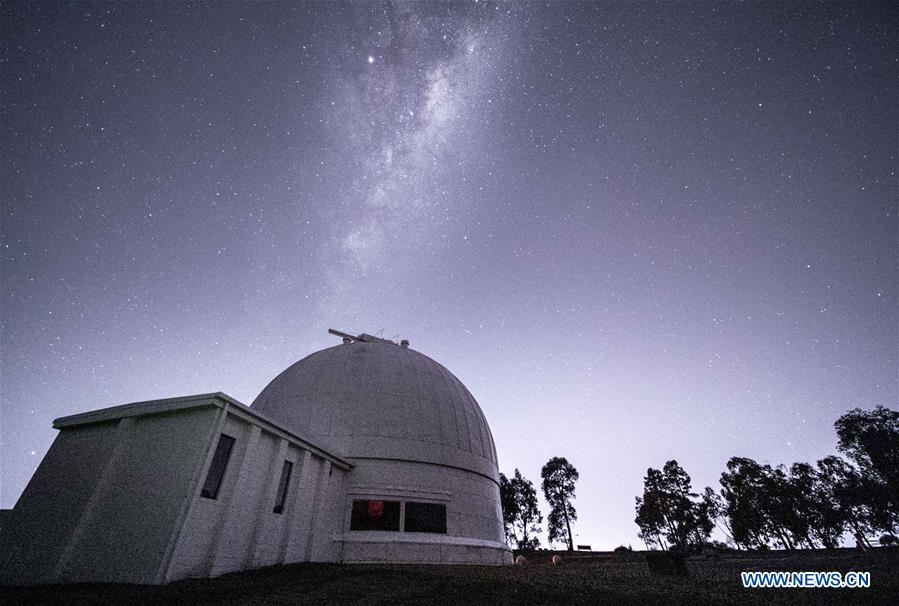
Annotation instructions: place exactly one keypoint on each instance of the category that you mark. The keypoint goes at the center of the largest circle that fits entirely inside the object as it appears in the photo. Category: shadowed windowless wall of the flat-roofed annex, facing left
(104, 503)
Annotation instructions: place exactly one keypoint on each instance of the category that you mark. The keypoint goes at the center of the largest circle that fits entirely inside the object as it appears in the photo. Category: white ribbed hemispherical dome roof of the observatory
(378, 400)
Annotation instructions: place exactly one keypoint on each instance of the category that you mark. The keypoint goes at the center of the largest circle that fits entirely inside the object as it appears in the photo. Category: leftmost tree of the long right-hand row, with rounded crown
(669, 511)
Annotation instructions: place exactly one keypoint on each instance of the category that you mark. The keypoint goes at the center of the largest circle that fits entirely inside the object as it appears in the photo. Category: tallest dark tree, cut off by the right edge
(871, 440)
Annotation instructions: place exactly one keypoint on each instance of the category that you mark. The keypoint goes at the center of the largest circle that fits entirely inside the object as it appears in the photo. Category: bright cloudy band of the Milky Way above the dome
(405, 117)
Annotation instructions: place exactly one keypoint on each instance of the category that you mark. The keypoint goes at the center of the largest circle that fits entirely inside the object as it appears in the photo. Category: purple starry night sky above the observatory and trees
(635, 231)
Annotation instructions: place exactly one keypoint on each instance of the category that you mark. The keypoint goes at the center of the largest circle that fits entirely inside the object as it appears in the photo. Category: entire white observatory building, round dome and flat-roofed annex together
(364, 452)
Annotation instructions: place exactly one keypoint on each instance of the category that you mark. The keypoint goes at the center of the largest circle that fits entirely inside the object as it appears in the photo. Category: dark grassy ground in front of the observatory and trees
(582, 578)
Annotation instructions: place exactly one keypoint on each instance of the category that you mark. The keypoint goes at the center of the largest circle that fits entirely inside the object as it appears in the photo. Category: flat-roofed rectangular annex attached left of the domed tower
(118, 499)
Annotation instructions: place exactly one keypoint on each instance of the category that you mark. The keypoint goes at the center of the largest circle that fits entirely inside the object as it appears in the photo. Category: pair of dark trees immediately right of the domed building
(521, 513)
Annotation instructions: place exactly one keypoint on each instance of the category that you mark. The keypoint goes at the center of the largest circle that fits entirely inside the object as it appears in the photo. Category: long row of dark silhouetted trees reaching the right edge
(804, 506)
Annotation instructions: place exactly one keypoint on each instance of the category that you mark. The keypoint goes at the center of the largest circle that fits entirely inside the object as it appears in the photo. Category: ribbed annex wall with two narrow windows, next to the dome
(239, 530)
